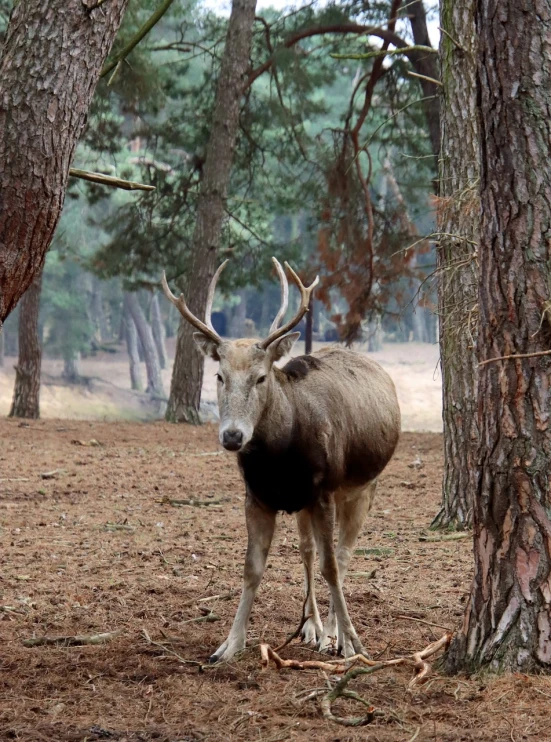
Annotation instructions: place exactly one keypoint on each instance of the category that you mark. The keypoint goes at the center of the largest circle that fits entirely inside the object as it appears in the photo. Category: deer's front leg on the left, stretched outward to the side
(260, 529)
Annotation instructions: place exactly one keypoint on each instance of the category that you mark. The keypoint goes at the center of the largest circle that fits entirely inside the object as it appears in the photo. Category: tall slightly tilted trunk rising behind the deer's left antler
(187, 374)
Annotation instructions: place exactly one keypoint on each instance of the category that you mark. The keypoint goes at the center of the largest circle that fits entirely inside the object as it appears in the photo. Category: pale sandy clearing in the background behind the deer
(105, 393)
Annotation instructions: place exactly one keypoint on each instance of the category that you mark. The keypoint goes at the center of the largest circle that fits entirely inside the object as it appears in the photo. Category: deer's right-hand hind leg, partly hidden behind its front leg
(352, 507)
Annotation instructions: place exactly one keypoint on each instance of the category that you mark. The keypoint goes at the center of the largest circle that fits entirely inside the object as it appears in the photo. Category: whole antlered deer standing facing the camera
(311, 438)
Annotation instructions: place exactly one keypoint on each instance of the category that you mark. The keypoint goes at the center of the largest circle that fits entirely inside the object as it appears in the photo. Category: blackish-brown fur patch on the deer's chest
(282, 480)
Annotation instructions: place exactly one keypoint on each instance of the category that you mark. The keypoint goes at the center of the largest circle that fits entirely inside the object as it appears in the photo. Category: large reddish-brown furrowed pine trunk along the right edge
(508, 618)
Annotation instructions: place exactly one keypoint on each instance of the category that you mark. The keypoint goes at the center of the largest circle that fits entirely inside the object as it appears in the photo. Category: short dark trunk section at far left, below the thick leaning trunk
(26, 392)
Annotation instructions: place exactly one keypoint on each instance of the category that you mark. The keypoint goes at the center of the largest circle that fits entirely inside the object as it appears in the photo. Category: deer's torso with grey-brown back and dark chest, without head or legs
(331, 421)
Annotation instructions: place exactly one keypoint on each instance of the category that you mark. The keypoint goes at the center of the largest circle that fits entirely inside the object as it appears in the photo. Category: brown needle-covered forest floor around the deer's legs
(91, 543)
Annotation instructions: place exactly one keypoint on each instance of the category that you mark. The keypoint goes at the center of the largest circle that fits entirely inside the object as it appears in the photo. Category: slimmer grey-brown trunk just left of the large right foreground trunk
(458, 218)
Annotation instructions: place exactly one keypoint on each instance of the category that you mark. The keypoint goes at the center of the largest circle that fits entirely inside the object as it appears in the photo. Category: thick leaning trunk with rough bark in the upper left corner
(51, 62)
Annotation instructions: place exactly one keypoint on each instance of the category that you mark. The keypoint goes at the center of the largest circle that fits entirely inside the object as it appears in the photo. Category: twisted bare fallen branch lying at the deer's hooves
(417, 660)
